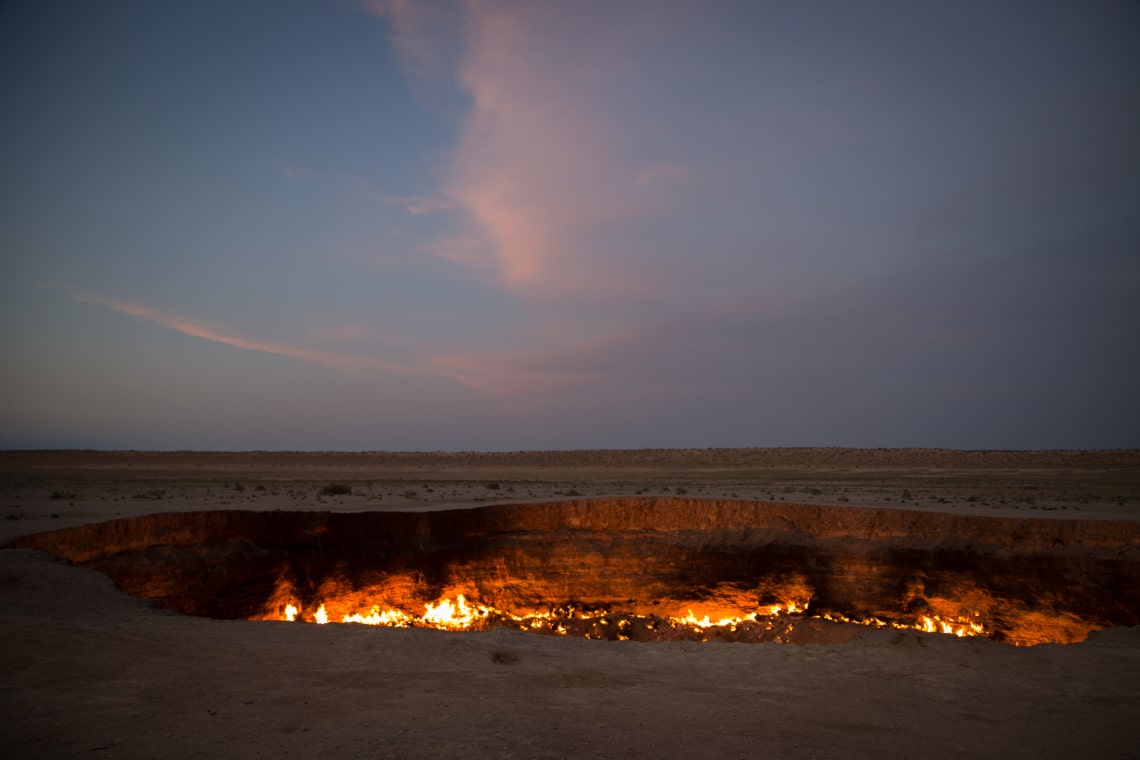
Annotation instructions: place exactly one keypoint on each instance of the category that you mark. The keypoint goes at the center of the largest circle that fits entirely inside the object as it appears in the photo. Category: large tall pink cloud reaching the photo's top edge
(539, 170)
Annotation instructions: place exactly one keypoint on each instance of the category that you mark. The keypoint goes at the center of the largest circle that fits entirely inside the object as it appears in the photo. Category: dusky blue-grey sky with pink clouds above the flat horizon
(508, 225)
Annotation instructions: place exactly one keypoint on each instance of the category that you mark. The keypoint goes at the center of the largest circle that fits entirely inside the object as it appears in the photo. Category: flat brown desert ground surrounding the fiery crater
(93, 673)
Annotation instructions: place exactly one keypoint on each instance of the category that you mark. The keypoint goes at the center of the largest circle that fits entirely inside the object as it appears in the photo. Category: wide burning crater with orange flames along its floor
(644, 569)
